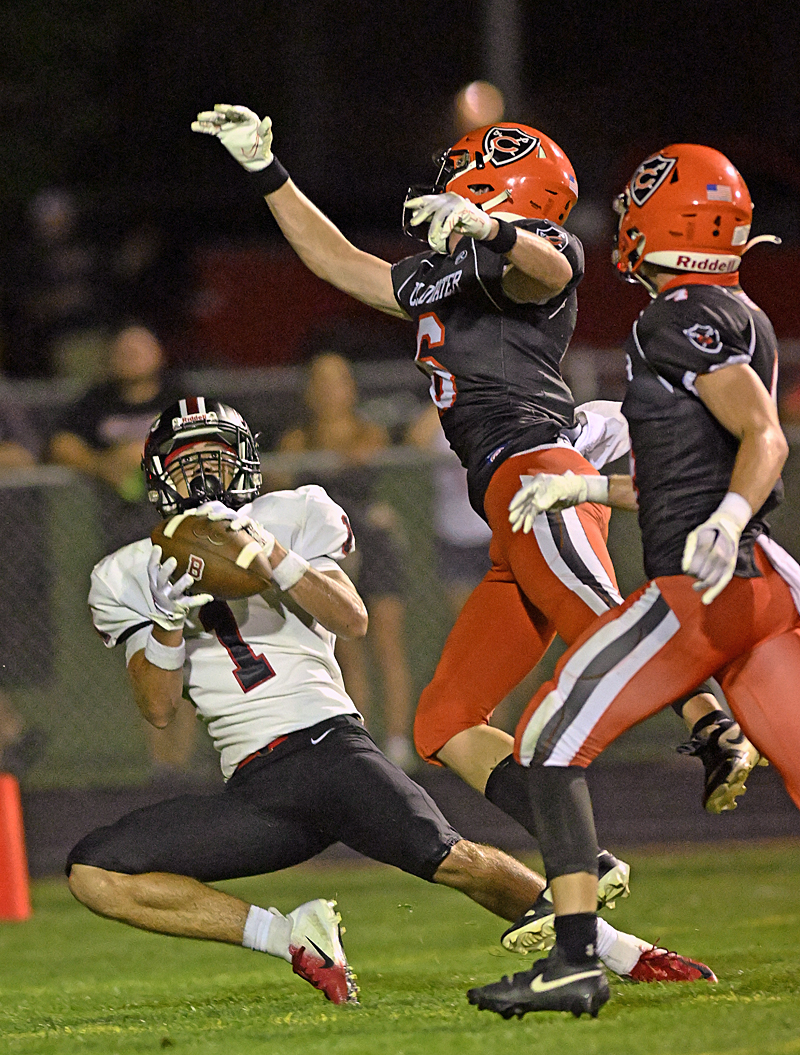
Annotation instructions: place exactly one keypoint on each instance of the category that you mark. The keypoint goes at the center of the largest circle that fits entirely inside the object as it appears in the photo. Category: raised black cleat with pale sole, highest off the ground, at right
(728, 758)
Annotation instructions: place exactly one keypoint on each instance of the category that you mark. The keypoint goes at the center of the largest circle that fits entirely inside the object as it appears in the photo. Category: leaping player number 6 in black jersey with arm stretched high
(496, 305)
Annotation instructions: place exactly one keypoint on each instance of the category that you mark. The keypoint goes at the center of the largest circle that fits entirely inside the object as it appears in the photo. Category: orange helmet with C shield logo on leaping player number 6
(508, 168)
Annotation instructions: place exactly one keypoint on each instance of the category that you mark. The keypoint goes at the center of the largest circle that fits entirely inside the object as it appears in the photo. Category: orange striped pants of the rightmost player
(636, 660)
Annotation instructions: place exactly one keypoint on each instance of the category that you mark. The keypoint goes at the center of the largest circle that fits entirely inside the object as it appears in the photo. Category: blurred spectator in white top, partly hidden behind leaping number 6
(461, 536)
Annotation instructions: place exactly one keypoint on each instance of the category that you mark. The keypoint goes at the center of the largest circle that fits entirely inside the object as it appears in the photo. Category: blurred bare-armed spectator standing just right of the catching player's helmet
(335, 426)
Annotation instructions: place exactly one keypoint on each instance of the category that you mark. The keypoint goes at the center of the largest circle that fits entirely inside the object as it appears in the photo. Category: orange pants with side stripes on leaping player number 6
(557, 580)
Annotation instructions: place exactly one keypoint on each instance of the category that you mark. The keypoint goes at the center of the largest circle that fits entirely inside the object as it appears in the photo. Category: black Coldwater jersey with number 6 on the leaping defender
(494, 365)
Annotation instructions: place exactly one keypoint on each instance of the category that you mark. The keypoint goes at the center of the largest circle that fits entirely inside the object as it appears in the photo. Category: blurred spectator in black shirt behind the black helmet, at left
(103, 435)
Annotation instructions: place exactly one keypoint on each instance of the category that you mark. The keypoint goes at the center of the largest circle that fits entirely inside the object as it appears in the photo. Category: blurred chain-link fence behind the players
(54, 670)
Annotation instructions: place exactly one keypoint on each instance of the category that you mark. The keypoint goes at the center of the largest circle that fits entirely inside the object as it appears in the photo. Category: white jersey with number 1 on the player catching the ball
(258, 668)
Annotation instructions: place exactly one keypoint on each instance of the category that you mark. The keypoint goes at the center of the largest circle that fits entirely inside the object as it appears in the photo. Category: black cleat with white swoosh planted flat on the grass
(551, 985)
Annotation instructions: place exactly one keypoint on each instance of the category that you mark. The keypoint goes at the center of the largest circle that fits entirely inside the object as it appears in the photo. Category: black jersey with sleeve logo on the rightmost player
(683, 456)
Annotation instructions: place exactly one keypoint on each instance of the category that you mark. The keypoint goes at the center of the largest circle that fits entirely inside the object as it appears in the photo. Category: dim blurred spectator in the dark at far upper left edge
(58, 308)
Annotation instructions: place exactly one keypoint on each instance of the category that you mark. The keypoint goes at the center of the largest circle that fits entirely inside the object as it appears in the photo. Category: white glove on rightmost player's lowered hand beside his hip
(712, 550)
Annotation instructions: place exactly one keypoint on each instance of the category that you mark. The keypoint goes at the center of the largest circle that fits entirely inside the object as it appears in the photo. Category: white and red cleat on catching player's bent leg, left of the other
(317, 953)
